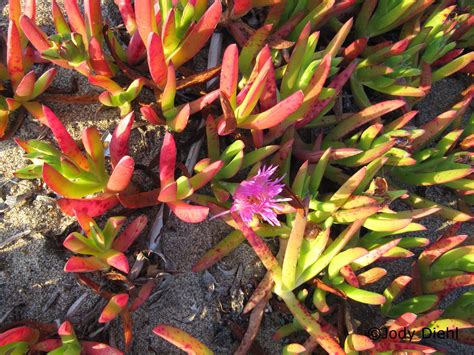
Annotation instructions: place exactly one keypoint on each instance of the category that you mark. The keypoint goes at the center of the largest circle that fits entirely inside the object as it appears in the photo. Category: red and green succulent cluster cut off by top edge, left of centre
(174, 30)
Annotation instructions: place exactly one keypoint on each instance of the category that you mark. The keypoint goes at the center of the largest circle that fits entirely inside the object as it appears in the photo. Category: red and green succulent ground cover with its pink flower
(307, 148)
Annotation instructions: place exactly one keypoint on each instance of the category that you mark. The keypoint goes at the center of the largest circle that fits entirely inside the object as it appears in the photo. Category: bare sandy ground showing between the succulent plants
(34, 286)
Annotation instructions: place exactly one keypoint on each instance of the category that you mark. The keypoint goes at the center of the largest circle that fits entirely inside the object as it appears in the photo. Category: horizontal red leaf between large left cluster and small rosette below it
(92, 207)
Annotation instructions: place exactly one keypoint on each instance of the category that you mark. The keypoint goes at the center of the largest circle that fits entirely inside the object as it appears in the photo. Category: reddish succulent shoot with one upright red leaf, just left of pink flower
(173, 191)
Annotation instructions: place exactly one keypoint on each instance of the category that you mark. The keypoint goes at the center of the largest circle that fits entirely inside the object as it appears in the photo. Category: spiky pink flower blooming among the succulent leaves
(256, 197)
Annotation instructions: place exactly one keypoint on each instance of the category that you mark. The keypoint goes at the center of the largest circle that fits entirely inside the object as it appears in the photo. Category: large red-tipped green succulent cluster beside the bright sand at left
(71, 173)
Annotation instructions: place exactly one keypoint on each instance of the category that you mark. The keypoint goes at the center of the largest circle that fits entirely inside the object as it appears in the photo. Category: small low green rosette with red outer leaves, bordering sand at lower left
(104, 246)
